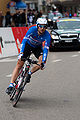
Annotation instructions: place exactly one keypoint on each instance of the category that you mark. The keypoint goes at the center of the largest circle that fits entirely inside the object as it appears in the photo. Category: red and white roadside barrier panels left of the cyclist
(10, 40)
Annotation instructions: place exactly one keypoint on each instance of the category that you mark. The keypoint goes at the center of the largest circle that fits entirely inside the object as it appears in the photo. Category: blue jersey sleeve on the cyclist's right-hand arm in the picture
(46, 47)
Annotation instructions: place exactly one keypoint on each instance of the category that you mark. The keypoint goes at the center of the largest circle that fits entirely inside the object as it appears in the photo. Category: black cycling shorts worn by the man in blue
(28, 50)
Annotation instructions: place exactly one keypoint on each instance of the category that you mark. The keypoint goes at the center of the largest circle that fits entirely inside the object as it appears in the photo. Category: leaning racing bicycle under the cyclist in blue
(20, 82)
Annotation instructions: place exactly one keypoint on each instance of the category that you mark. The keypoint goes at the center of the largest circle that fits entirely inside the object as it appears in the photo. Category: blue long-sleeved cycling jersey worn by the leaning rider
(35, 40)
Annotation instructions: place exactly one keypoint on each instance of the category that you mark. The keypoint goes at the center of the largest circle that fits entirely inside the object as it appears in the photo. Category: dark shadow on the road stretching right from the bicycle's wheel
(42, 103)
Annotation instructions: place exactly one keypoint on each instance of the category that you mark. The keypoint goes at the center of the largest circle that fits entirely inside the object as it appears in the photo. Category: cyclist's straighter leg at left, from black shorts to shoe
(19, 65)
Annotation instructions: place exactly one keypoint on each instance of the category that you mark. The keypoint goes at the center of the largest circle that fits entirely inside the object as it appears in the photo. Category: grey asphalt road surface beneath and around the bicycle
(52, 94)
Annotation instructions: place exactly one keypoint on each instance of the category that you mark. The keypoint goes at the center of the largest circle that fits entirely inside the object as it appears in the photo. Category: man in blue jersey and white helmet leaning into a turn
(32, 43)
